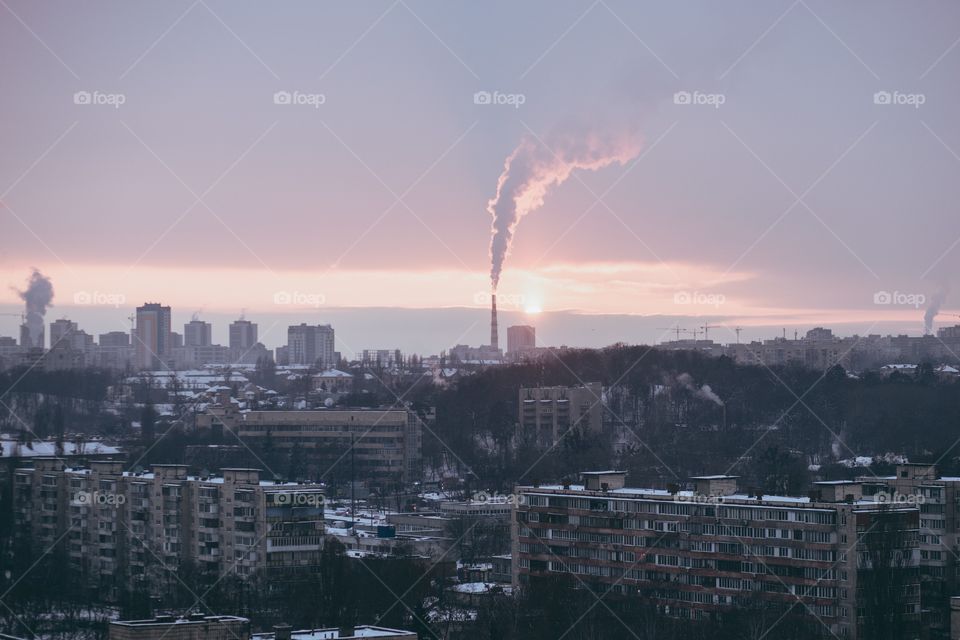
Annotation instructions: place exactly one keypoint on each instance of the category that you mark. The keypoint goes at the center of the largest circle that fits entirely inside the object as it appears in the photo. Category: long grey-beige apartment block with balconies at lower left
(120, 528)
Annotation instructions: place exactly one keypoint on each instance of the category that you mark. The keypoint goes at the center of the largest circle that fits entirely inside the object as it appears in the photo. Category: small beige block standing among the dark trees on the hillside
(548, 413)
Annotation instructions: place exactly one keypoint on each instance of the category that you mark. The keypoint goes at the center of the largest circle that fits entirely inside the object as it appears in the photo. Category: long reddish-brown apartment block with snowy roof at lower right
(697, 553)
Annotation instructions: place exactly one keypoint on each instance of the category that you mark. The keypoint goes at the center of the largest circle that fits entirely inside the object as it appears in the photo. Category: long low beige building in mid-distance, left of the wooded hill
(386, 442)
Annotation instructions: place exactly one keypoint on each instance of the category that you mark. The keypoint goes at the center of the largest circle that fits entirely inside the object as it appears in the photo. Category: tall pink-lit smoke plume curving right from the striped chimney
(533, 168)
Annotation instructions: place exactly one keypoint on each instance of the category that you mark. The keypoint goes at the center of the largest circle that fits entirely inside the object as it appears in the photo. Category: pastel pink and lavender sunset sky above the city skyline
(333, 162)
